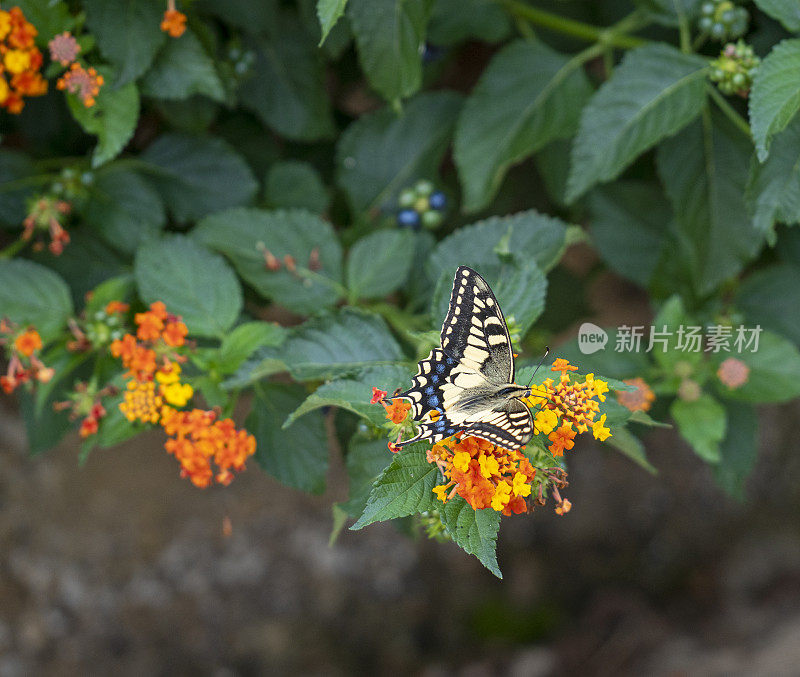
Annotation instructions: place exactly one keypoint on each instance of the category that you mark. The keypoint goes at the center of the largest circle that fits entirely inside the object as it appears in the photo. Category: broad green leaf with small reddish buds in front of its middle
(245, 235)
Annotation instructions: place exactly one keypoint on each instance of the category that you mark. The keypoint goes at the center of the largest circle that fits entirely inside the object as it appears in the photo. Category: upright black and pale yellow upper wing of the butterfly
(474, 331)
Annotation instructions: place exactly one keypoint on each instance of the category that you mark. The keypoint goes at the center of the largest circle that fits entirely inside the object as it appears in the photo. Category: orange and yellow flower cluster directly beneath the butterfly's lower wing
(485, 475)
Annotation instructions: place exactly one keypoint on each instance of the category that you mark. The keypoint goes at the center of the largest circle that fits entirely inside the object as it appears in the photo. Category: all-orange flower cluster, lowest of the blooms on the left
(197, 439)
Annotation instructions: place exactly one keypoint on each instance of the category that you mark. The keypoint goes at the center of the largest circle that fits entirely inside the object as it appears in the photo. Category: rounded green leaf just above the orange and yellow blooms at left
(192, 281)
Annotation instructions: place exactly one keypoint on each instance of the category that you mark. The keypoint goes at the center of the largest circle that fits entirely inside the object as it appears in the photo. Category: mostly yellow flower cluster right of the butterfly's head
(569, 403)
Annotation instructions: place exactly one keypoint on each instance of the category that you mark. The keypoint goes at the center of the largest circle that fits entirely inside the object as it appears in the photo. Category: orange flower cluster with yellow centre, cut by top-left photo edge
(20, 61)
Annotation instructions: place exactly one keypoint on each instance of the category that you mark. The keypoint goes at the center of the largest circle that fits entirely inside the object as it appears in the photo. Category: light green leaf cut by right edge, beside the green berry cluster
(775, 96)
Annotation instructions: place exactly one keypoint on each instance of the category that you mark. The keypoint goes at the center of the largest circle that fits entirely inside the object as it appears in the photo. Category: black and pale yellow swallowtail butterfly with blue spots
(467, 385)
